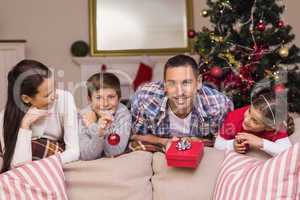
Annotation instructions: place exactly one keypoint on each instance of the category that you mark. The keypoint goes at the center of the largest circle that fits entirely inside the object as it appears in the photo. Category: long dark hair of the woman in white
(23, 79)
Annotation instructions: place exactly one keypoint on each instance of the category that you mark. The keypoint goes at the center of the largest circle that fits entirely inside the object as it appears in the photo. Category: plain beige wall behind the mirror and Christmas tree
(50, 27)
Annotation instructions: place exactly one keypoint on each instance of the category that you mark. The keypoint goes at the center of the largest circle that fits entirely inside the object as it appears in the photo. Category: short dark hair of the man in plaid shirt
(182, 60)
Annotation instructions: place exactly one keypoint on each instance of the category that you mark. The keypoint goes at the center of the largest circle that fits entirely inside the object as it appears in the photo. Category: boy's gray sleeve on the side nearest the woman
(91, 145)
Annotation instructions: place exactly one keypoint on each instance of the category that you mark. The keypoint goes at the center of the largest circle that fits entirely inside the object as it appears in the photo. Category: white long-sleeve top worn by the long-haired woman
(60, 124)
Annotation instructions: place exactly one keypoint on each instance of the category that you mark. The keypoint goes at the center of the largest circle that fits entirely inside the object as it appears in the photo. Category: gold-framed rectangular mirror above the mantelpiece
(139, 27)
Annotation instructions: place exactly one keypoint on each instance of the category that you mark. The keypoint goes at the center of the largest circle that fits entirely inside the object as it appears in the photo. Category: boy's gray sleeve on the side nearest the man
(122, 127)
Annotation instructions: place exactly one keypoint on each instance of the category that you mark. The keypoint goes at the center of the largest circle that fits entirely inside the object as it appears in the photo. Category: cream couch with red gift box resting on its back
(146, 176)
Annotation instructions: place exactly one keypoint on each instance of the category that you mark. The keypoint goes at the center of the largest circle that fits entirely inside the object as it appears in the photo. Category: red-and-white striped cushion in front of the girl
(244, 177)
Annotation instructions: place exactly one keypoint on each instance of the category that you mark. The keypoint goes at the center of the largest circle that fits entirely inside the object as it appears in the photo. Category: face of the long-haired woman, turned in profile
(45, 96)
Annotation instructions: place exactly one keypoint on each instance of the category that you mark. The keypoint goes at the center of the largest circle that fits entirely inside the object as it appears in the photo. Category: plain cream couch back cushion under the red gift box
(180, 183)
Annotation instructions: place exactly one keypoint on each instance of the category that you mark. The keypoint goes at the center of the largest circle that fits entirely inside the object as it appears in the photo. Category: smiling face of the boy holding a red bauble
(104, 100)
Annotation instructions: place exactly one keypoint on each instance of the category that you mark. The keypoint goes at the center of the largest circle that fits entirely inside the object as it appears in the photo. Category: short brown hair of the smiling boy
(103, 80)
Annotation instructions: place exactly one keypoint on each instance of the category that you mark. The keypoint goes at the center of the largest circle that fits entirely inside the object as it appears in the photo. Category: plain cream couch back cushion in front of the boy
(124, 177)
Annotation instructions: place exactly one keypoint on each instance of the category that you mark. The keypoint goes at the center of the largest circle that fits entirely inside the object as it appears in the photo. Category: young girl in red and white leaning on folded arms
(262, 125)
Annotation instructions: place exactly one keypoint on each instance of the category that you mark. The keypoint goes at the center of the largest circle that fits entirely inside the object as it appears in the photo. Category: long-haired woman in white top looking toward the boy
(38, 120)
